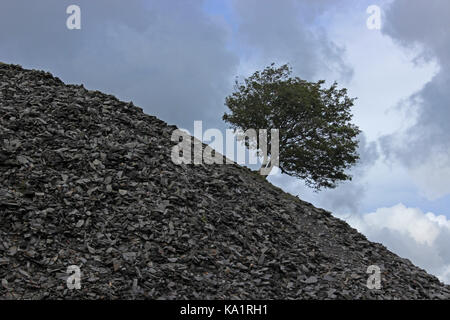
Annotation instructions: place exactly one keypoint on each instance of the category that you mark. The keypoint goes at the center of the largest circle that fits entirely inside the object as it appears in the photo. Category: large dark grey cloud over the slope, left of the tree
(168, 57)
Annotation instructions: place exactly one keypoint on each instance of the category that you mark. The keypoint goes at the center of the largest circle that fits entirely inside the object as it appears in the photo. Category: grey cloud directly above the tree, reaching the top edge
(290, 31)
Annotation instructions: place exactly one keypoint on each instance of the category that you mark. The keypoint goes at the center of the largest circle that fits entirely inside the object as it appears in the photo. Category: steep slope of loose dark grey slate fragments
(87, 180)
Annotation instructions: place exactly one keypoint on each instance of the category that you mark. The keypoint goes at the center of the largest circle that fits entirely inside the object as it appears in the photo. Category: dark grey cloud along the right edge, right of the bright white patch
(422, 27)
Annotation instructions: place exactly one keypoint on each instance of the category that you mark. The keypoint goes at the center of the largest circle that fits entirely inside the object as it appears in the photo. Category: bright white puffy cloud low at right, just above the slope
(421, 237)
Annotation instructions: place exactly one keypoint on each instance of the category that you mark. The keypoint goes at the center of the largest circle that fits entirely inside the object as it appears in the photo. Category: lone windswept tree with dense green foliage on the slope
(317, 142)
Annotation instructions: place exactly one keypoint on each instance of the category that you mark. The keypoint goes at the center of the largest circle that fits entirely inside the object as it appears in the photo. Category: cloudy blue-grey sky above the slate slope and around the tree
(178, 60)
